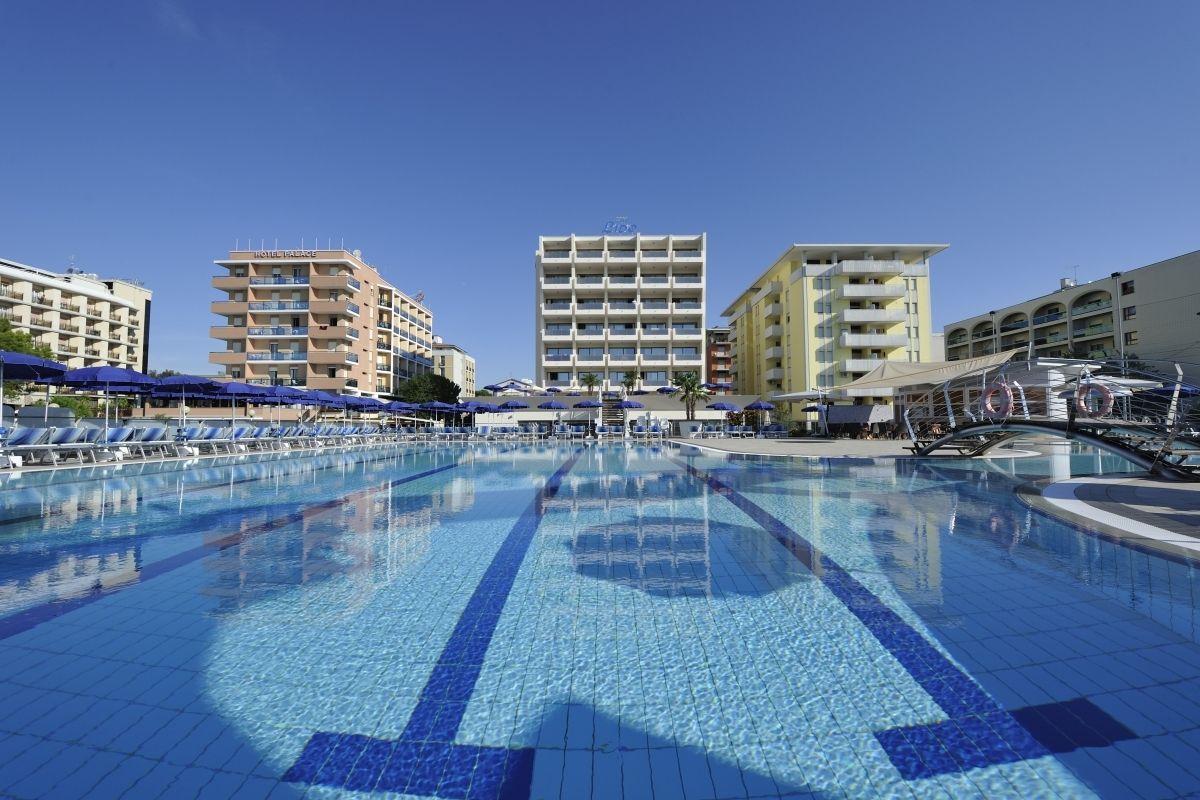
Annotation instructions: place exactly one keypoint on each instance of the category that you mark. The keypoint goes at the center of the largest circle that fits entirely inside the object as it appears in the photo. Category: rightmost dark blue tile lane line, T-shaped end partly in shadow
(980, 732)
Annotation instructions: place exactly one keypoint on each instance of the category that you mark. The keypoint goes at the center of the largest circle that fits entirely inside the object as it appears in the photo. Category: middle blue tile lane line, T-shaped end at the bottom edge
(425, 761)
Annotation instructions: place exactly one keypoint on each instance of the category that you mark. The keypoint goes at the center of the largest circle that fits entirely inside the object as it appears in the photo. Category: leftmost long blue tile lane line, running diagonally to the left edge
(35, 616)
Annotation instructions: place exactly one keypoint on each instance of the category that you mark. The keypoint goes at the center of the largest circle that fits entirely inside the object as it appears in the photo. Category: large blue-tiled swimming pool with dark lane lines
(556, 621)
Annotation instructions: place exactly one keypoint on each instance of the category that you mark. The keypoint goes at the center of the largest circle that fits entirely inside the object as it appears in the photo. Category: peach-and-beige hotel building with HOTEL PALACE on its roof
(317, 320)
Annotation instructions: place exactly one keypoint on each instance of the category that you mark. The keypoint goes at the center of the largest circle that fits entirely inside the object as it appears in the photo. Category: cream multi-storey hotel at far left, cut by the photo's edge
(83, 320)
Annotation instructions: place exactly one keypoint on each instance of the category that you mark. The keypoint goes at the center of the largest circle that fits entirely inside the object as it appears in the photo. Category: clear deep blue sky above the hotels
(442, 139)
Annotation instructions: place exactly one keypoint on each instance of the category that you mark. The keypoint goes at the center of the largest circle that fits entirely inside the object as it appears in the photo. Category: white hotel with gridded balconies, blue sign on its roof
(615, 306)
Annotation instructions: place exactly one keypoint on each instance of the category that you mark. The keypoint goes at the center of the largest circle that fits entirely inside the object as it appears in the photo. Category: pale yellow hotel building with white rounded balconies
(825, 315)
